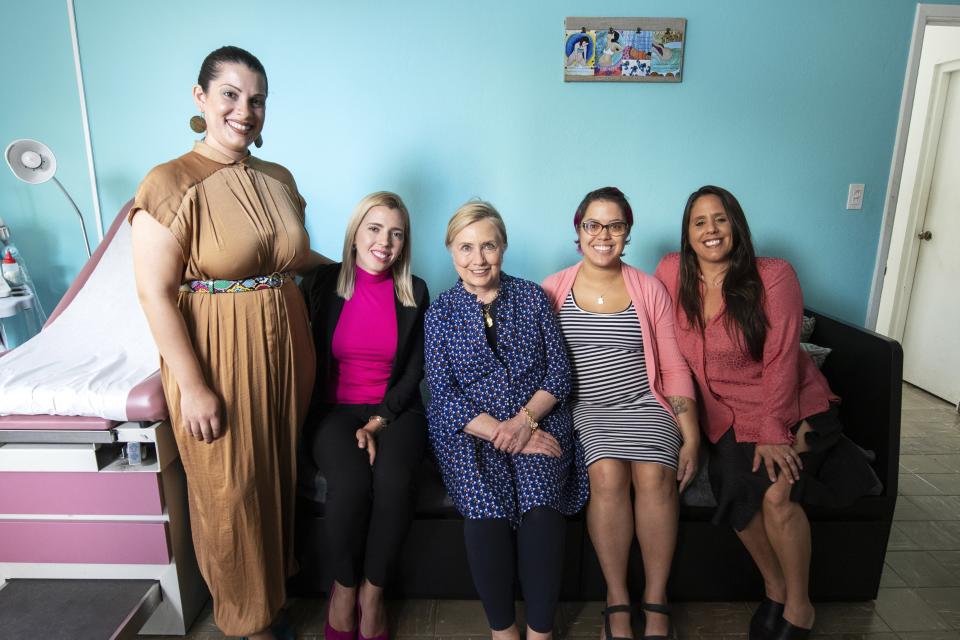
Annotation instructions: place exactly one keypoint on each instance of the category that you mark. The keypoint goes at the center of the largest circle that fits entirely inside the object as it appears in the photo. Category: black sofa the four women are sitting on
(710, 564)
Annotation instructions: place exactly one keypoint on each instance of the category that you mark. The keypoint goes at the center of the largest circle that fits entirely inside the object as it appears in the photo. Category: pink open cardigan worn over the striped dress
(667, 371)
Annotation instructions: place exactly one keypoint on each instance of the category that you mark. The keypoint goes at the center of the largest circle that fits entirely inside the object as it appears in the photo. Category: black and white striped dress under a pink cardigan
(615, 414)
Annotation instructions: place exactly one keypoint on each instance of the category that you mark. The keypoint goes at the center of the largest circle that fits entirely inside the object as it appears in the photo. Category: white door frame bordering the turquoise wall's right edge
(926, 15)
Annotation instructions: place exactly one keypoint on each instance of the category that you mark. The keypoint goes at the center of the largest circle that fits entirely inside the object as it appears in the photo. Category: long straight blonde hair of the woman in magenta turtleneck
(402, 278)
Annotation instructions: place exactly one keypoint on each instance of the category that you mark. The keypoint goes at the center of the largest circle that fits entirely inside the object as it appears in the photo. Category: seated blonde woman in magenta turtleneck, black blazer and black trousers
(366, 429)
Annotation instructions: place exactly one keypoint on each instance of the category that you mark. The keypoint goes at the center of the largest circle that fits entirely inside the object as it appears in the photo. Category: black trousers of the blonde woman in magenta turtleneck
(368, 508)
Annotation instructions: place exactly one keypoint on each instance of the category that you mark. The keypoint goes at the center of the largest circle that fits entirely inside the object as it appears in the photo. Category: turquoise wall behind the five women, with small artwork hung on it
(783, 103)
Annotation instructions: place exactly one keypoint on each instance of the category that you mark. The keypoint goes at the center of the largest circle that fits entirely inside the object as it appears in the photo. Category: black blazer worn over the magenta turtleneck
(324, 306)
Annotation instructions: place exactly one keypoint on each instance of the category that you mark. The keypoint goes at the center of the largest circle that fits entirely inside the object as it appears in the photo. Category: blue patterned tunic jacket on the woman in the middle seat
(467, 377)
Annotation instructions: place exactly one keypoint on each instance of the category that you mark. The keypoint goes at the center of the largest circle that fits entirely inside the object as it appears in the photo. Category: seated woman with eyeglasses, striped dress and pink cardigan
(633, 407)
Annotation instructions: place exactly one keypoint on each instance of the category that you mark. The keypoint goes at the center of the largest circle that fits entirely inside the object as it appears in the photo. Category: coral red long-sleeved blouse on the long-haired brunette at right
(760, 400)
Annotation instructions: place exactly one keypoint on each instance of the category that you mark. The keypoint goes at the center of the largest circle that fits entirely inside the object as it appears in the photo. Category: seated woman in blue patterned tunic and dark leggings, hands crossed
(500, 426)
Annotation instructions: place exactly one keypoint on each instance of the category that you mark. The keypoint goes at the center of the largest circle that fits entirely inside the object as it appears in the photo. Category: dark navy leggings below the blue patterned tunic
(539, 554)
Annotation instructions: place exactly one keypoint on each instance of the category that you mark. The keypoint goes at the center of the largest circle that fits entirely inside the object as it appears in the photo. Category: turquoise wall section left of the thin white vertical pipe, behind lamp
(41, 101)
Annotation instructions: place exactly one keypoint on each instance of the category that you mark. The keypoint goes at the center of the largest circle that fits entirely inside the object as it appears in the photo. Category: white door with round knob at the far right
(931, 339)
